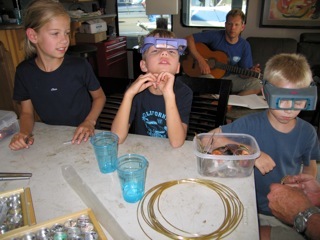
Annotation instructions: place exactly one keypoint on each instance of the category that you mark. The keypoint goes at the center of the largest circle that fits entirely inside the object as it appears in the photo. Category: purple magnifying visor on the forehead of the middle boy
(164, 43)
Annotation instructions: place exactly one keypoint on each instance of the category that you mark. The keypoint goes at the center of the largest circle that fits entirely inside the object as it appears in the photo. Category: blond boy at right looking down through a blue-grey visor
(288, 144)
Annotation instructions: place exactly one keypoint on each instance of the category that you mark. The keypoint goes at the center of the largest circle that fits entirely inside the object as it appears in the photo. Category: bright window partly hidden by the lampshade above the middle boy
(133, 20)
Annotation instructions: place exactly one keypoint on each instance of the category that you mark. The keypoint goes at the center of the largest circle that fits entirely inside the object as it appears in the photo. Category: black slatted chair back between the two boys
(207, 112)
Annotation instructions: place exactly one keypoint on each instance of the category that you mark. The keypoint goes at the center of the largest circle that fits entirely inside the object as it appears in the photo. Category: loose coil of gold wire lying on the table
(233, 210)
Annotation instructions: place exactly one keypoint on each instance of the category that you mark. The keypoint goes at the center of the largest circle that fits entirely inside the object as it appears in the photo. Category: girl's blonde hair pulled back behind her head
(37, 14)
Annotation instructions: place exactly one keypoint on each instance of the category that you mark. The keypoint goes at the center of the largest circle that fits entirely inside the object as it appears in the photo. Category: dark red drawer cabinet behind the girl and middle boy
(112, 58)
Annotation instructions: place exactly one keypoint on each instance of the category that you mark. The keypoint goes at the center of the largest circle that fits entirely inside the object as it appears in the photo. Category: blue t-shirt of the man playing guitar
(239, 53)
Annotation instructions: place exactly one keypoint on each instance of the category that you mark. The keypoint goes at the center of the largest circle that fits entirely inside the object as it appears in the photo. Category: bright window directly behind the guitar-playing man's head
(208, 13)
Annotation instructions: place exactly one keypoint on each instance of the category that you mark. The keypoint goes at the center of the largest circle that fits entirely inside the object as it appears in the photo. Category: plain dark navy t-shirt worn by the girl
(60, 97)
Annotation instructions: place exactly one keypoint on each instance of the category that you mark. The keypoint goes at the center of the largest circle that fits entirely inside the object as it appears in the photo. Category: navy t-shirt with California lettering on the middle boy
(148, 112)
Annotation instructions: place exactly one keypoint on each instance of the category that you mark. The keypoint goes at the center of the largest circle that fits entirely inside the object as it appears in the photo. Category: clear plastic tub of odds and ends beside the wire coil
(209, 163)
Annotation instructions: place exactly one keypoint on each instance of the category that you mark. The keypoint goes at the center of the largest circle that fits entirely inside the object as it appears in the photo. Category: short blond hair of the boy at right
(285, 67)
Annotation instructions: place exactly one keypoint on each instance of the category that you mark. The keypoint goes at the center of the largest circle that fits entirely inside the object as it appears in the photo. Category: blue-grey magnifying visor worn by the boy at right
(290, 98)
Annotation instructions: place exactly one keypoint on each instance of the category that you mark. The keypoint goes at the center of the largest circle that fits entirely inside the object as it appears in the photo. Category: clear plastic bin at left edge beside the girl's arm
(8, 124)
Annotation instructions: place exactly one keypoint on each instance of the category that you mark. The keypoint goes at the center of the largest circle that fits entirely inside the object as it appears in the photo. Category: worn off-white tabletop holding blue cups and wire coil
(53, 197)
